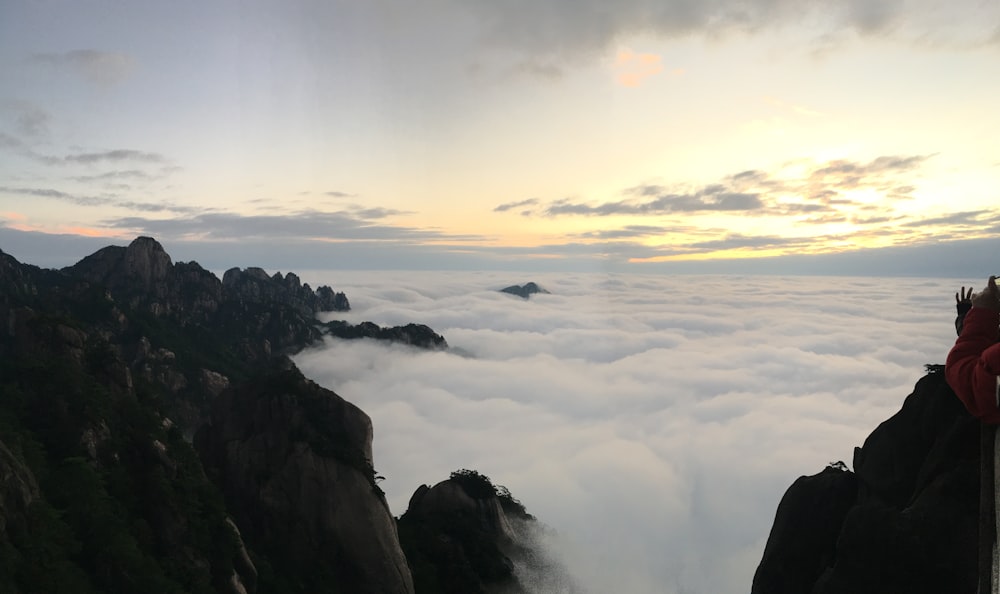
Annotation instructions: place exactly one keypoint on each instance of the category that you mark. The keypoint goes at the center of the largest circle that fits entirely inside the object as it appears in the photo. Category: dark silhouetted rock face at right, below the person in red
(905, 520)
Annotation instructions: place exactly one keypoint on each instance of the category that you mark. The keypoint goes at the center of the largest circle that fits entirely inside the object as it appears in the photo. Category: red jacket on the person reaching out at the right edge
(974, 364)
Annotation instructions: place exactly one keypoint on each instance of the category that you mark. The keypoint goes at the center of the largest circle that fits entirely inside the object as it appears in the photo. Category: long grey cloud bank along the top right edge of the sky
(567, 30)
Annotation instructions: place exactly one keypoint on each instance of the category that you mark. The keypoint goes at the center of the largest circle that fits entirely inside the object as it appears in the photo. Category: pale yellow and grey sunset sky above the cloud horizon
(778, 136)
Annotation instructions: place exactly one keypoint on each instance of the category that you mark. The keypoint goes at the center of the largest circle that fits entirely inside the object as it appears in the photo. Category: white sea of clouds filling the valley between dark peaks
(653, 422)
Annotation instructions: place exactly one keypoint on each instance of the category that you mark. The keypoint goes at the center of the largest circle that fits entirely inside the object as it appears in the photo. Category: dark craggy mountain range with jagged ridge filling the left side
(155, 436)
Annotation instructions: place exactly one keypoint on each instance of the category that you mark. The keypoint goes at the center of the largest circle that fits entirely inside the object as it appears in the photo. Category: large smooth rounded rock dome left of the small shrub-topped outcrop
(294, 463)
